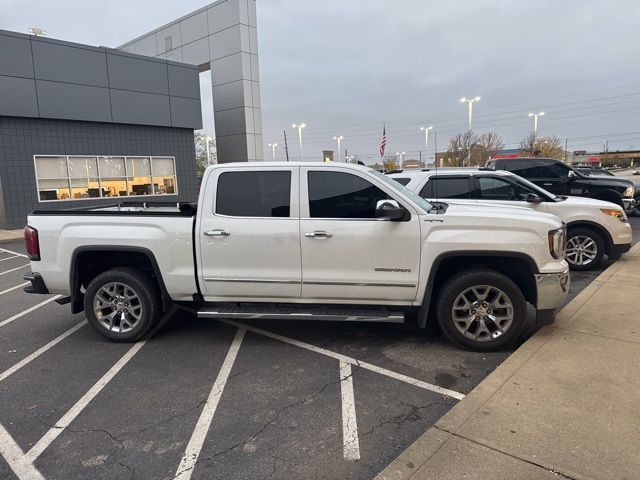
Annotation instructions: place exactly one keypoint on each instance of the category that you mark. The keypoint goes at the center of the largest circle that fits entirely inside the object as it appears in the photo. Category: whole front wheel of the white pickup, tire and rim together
(481, 310)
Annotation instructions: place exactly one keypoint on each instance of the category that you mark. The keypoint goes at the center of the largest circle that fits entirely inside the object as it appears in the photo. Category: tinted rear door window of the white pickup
(254, 194)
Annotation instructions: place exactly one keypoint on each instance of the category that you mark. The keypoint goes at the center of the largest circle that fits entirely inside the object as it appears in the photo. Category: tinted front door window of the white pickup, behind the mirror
(342, 195)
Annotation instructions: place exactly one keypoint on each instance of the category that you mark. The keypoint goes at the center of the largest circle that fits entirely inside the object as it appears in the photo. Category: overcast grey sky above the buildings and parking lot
(345, 67)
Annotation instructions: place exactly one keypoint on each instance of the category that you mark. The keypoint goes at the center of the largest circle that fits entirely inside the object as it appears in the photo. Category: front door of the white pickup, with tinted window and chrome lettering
(348, 254)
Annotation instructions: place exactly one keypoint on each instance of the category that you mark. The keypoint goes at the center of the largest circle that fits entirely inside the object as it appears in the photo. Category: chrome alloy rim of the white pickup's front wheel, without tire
(482, 313)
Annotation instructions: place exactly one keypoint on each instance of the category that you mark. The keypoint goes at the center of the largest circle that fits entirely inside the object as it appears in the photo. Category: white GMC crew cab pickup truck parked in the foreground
(304, 241)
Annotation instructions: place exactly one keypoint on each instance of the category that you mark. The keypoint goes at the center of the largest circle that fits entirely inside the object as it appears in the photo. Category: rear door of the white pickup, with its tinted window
(248, 234)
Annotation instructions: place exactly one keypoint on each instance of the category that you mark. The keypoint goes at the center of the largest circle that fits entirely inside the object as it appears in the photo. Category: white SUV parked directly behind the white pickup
(595, 227)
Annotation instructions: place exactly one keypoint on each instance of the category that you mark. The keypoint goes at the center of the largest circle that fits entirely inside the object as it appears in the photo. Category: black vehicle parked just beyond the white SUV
(560, 179)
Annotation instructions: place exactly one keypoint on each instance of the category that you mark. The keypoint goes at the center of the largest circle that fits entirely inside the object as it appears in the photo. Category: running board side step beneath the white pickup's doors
(299, 313)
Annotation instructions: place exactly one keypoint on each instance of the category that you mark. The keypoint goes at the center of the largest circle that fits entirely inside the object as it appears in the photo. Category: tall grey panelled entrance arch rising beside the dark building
(221, 38)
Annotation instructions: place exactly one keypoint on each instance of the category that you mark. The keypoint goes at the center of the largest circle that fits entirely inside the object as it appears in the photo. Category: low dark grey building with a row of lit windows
(87, 126)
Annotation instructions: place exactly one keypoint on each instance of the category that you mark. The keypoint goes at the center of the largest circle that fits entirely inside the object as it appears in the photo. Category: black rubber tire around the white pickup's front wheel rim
(459, 284)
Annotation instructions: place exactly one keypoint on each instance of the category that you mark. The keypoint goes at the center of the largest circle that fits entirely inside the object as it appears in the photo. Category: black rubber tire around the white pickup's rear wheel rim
(146, 305)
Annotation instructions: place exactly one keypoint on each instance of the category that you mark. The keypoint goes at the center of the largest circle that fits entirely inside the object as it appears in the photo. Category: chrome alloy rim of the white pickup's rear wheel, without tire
(118, 307)
